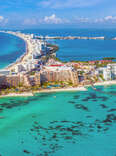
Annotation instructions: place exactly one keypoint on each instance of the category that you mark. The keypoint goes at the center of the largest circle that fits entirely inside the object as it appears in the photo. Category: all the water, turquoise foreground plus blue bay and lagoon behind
(75, 123)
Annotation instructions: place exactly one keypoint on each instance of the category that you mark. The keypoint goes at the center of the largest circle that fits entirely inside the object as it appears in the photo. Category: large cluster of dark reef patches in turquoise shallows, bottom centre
(56, 132)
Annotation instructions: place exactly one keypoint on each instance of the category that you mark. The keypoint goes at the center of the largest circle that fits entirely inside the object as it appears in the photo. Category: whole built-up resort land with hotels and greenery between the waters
(38, 69)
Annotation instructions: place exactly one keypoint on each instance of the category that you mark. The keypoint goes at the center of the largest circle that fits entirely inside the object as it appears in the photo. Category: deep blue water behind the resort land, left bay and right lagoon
(12, 47)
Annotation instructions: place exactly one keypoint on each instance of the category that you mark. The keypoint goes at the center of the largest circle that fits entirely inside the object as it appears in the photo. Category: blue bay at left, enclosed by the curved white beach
(11, 48)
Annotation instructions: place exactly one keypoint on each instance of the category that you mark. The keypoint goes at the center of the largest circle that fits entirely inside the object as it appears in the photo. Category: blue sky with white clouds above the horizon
(15, 14)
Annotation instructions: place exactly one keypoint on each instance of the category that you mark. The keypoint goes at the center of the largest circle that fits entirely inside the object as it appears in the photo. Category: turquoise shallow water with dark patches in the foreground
(59, 124)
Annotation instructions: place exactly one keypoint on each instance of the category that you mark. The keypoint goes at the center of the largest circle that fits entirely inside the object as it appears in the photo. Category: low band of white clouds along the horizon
(53, 19)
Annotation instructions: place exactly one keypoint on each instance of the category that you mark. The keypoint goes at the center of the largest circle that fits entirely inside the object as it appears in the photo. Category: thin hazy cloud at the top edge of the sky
(67, 3)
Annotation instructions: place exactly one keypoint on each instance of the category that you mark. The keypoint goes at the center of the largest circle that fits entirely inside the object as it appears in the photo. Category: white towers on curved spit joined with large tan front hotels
(18, 73)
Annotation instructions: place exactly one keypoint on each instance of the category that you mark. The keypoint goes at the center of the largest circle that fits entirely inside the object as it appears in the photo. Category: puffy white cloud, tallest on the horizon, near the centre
(53, 19)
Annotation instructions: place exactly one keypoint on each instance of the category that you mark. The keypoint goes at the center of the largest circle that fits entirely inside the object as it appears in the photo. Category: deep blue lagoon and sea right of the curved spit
(82, 49)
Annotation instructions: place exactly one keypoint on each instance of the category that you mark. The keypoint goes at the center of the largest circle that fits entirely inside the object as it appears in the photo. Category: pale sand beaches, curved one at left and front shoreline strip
(22, 58)
